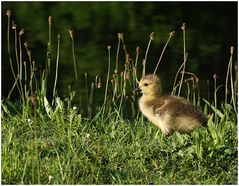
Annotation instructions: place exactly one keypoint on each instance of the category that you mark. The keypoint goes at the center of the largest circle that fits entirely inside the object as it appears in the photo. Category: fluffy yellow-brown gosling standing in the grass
(169, 113)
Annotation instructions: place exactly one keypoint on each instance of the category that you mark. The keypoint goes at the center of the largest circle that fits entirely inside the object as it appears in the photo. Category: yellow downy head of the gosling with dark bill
(150, 85)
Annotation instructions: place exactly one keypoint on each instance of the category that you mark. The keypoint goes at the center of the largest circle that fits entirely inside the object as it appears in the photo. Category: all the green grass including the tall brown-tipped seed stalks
(111, 143)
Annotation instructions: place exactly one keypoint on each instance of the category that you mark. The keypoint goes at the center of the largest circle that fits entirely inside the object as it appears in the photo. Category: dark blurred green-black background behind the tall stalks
(211, 28)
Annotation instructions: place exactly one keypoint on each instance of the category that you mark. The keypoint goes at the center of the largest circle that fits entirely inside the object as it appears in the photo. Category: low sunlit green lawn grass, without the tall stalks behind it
(67, 149)
